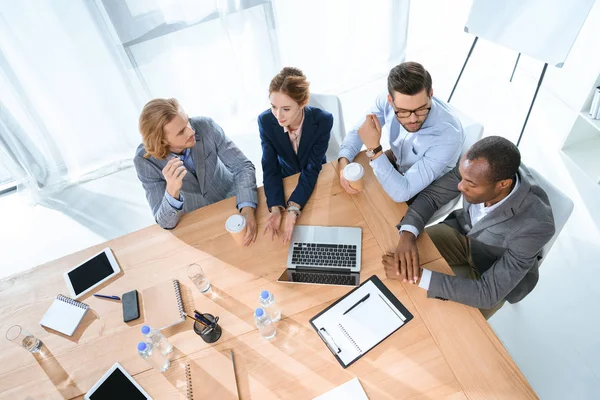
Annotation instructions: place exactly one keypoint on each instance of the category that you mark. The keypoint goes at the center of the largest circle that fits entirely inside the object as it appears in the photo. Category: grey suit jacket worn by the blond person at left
(222, 171)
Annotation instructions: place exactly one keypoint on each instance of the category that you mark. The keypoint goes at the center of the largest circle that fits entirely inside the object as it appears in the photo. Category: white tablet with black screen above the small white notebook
(91, 273)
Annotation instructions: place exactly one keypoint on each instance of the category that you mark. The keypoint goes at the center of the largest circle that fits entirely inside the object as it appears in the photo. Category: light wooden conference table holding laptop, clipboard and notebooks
(447, 351)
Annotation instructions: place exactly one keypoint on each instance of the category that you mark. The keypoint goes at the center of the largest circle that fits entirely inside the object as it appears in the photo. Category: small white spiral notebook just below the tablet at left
(64, 315)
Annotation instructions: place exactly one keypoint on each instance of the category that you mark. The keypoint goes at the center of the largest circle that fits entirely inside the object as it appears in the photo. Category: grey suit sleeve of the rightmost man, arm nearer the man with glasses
(431, 199)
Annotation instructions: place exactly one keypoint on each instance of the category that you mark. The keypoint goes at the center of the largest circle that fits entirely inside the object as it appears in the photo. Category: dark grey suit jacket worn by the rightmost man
(505, 244)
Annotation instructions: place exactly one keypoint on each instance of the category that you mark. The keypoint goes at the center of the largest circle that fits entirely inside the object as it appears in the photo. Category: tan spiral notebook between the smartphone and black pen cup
(163, 306)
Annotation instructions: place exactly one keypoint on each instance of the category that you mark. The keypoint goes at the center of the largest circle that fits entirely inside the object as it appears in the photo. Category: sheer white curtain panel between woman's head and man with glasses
(342, 44)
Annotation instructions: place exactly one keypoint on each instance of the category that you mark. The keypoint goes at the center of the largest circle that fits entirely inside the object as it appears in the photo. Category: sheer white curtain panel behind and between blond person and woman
(216, 57)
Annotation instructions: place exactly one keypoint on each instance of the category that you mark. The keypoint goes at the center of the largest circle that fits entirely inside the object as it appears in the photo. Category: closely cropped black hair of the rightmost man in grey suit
(501, 154)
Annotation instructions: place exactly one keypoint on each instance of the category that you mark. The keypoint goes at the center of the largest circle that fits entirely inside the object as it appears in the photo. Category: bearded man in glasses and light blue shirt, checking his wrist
(425, 135)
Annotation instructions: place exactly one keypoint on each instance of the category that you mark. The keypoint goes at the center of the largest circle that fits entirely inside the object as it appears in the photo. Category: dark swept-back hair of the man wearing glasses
(409, 78)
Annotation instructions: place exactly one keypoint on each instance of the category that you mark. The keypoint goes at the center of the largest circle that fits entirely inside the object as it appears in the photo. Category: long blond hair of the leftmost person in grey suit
(155, 115)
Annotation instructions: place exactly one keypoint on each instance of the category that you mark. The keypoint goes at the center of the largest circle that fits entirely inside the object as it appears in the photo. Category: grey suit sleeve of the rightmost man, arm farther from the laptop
(502, 277)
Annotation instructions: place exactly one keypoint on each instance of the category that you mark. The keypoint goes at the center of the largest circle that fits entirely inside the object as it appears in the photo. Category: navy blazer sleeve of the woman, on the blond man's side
(272, 176)
